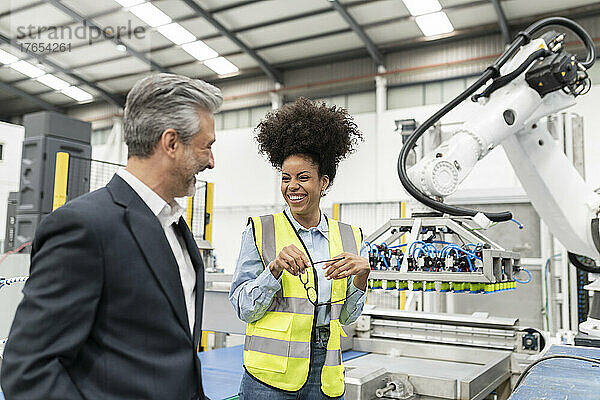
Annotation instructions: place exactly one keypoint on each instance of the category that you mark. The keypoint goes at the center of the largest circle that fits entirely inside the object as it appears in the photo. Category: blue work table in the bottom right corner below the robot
(559, 379)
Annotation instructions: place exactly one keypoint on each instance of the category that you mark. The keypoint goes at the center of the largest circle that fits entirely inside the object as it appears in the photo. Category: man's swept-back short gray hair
(164, 101)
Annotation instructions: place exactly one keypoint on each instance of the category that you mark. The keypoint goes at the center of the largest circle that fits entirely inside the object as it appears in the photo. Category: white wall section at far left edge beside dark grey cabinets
(11, 139)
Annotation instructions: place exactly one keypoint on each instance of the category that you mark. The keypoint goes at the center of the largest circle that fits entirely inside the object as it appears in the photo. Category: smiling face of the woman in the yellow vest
(301, 185)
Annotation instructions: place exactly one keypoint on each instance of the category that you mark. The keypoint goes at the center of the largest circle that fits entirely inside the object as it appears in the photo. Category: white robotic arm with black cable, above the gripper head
(537, 81)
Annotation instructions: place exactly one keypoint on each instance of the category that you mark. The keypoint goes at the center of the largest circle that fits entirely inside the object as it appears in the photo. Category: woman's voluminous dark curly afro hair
(325, 134)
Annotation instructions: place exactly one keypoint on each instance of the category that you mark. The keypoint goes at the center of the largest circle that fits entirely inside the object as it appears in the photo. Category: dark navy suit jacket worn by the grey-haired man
(103, 314)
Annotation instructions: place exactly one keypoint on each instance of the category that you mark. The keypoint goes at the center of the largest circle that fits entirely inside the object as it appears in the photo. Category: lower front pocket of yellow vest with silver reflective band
(269, 344)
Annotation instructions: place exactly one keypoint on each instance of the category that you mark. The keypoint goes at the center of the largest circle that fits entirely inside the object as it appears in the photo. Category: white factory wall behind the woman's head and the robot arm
(246, 184)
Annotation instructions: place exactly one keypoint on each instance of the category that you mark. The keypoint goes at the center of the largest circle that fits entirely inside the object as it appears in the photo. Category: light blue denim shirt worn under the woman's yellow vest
(253, 286)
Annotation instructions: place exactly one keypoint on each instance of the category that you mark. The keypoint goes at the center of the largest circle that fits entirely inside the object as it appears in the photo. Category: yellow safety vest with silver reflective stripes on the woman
(277, 350)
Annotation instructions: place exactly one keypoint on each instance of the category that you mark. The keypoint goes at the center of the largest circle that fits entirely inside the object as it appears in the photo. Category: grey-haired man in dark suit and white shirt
(113, 305)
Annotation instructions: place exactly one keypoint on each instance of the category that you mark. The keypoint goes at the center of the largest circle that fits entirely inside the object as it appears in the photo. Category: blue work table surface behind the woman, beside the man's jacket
(222, 371)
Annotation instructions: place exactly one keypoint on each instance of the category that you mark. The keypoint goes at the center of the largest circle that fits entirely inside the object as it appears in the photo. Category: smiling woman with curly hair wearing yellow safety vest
(300, 274)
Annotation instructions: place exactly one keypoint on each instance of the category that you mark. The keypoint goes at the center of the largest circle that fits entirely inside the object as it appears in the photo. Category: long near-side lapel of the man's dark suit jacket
(151, 239)
